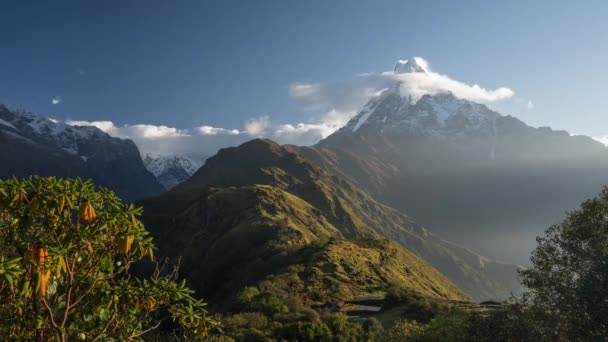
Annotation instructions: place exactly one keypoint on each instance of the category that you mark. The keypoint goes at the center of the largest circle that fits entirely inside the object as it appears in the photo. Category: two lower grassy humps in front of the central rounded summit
(237, 236)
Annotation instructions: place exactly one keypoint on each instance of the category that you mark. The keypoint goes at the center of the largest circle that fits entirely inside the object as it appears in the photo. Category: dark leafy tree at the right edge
(569, 276)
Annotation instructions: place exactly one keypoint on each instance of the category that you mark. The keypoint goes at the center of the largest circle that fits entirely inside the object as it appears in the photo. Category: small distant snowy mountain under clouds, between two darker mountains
(171, 170)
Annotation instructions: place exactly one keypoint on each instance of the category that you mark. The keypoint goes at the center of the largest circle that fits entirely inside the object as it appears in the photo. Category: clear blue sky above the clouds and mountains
(186, 64)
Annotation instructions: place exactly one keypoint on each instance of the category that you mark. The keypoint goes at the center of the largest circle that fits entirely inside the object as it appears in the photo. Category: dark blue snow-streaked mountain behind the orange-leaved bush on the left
(33, 145)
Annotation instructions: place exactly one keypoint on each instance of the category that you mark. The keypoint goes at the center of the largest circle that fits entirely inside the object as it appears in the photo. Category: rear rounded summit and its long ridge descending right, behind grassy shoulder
(354, 213)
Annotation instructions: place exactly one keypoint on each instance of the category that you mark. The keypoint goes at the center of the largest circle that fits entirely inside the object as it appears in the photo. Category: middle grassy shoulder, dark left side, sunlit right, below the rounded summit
(228, 238)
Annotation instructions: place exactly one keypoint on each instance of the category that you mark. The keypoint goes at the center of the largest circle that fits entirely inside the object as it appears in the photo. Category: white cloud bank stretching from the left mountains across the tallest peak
(333, 106)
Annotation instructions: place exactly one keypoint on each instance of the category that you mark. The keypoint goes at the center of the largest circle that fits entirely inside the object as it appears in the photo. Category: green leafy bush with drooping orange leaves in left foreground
(66, 250)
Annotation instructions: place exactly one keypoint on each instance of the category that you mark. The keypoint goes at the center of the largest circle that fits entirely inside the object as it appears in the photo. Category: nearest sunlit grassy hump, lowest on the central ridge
(346, 270)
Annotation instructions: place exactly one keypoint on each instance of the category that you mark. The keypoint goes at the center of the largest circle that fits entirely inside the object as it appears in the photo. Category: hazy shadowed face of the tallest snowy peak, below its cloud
(480, 179)
